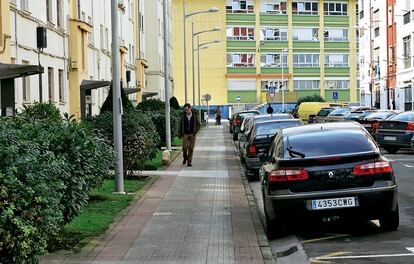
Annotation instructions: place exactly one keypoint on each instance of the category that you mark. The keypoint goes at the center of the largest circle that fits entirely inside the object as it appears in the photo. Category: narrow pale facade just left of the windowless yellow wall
(154, 25)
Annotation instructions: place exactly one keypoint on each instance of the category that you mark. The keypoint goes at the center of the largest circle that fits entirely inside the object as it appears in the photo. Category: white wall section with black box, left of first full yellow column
(25, 16)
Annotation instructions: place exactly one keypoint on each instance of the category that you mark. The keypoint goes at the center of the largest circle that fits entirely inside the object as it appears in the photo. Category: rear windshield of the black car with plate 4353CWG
(329, 142)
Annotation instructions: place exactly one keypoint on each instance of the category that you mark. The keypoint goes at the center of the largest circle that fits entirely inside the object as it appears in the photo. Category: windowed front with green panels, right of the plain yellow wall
(305, 47)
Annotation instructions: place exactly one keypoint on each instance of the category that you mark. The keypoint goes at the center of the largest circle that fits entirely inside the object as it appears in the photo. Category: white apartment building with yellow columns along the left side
(76, 62)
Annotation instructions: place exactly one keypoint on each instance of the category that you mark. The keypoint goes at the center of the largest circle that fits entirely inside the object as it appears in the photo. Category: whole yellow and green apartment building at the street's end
(303, 47)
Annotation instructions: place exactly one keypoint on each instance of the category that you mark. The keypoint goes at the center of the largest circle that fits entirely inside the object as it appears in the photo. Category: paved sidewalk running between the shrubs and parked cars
(196, 214)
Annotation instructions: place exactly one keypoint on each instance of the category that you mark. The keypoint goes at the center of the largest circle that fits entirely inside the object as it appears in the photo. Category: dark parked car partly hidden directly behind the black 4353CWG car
(259, 141)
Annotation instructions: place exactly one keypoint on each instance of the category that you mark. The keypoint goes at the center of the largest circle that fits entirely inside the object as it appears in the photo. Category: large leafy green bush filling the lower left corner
(47, 170)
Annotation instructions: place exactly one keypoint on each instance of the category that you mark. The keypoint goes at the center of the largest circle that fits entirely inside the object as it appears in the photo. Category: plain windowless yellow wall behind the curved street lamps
(213, 64)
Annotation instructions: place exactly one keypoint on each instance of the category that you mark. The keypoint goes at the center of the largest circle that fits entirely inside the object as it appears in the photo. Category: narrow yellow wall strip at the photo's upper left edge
(5, 31)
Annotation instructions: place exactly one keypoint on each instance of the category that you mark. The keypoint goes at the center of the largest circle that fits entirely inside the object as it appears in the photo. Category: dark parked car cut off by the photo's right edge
(396, 132)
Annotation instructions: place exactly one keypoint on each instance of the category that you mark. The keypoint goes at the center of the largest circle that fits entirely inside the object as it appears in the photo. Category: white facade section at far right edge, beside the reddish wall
(405, 63)
